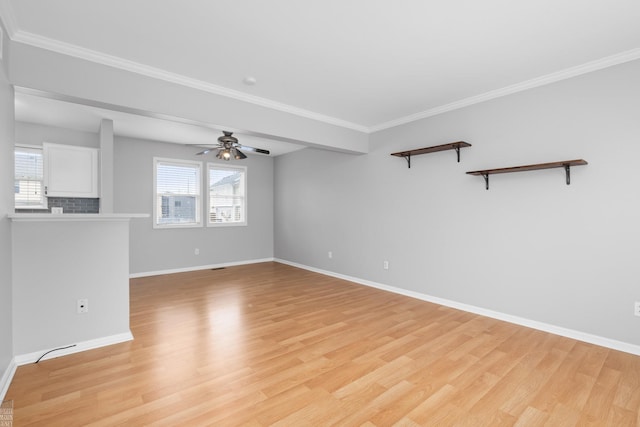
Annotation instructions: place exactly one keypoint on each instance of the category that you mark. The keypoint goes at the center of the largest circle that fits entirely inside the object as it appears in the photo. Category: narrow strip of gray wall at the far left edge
(6, 206)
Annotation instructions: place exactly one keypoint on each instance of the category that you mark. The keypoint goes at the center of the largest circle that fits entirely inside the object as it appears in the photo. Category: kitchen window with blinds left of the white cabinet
(29, 176)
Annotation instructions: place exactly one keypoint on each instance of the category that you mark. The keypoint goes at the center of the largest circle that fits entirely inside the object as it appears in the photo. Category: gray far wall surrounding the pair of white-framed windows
(156, 250)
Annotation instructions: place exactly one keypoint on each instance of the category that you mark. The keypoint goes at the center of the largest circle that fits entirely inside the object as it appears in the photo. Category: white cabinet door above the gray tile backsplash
(70, 171)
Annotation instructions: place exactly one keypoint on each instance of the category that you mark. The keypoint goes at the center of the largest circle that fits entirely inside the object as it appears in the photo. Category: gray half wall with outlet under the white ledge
(55, 263)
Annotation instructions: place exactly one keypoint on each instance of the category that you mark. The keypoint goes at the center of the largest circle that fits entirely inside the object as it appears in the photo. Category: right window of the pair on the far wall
(227, 195)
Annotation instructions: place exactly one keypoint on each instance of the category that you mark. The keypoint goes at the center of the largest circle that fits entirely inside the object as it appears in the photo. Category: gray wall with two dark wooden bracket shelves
(530, 247)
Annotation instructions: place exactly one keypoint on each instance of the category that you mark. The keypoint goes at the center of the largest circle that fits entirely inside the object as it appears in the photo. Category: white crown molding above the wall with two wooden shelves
(609, 61)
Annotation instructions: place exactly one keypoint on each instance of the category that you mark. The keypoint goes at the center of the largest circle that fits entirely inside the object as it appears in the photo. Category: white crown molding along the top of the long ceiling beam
(157, 73)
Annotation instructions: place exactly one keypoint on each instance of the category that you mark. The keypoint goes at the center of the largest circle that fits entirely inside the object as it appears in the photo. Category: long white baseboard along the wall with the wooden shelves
(546, 327)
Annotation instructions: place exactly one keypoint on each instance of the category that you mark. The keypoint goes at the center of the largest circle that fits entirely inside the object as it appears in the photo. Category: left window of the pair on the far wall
(177, 193)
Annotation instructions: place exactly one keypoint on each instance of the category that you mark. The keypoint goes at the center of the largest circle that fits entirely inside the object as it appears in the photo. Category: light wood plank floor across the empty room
(269, 344)
